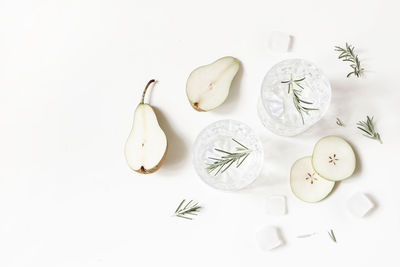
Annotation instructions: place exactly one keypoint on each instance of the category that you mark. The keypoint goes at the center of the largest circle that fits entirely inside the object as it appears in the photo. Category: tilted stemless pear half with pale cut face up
(208, 86)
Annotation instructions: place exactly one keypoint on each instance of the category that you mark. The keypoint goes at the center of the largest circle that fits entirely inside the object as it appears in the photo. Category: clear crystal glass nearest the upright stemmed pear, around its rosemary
(219, 135)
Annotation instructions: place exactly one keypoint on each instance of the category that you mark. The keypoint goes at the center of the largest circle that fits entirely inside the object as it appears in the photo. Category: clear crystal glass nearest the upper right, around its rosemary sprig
(277, 107)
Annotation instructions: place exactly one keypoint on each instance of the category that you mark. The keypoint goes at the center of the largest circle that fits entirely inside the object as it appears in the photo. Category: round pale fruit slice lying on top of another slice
(333, 158)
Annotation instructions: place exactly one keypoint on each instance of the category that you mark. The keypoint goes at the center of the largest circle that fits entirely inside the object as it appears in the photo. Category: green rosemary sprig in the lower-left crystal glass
(221, 164)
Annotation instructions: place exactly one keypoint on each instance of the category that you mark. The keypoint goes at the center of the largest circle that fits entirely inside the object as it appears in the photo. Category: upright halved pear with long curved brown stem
(147, 144)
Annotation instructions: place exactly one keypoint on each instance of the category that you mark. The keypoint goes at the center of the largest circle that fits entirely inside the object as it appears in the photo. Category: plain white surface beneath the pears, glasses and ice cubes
(71, 75)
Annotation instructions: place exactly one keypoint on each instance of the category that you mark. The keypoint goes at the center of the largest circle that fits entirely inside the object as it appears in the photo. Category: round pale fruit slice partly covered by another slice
(306, 184)
